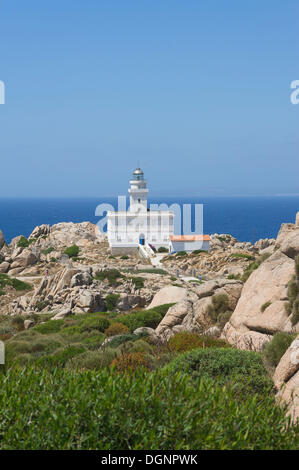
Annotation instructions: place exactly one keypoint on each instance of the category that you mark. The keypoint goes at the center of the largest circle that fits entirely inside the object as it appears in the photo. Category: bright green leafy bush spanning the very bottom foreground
(105, 410)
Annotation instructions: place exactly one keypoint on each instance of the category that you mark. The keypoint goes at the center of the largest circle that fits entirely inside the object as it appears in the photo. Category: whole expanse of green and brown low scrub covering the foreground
(194, 392)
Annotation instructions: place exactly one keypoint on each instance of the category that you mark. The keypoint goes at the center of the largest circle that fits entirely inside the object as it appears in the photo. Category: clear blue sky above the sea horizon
(197, 92)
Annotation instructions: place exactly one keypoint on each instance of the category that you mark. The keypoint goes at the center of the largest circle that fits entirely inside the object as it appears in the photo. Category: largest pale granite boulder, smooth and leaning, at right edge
(261, 309)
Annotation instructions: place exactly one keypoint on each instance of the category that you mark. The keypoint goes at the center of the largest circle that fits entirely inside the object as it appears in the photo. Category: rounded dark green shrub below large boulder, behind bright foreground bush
(242, 369)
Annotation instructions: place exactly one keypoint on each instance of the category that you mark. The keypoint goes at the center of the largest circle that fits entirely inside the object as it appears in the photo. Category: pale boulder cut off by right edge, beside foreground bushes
(286, 379)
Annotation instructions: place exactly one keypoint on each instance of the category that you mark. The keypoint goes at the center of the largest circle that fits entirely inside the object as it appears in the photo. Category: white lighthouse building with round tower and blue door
(138, 226)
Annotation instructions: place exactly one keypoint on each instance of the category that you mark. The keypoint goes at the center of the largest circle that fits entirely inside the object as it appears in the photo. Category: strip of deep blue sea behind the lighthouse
(246, 218)
